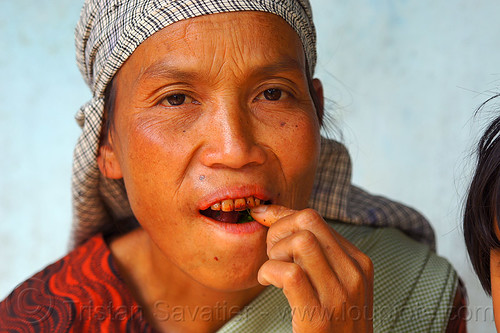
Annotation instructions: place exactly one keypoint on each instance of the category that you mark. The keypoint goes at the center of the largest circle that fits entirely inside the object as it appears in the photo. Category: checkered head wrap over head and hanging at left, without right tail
(107, 34)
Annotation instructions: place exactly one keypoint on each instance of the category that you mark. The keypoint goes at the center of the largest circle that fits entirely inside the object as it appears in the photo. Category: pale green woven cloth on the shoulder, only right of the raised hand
(414, 288)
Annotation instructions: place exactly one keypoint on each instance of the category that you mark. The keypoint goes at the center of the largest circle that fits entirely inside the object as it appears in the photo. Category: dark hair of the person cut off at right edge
(482, 207)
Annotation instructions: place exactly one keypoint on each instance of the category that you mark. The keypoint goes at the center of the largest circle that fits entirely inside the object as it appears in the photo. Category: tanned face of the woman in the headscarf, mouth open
(209, 109)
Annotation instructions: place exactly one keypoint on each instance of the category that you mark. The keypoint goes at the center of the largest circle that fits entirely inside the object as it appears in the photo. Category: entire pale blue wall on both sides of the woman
(405, 75)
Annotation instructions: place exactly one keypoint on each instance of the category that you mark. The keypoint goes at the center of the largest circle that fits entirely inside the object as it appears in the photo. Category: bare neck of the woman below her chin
(172, 300)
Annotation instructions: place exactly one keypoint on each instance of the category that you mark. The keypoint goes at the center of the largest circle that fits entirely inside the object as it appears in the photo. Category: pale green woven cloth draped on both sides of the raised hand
(413, 288)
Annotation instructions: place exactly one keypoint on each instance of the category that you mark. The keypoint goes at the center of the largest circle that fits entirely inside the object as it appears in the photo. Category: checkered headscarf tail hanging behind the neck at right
(335, 198)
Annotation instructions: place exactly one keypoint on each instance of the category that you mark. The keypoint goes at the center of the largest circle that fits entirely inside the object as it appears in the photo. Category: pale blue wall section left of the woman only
(40, 91)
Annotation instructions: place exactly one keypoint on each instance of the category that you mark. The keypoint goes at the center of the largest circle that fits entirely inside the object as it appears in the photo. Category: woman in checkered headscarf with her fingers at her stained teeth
(199, 158)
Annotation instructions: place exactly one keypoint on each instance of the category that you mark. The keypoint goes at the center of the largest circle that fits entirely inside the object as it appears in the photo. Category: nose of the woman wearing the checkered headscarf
(231, 140)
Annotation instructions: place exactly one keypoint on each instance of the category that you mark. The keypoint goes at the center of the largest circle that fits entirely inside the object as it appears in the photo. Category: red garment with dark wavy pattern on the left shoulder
(82, 292)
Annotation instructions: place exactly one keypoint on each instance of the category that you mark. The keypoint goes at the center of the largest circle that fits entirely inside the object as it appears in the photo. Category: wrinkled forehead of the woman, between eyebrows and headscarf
(243, 41)
